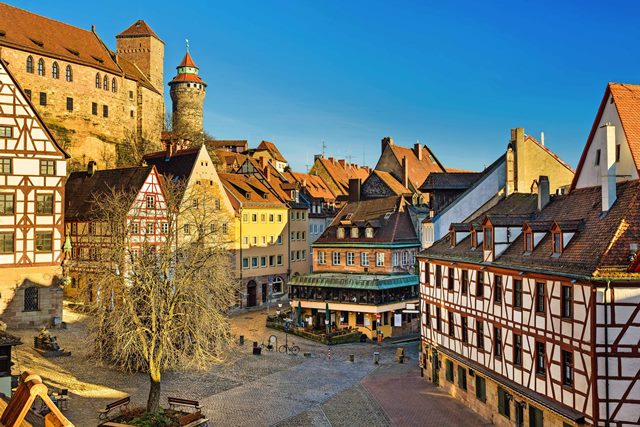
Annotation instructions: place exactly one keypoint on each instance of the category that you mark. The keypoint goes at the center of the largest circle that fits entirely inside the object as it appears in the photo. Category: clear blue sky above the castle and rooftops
(455, 76)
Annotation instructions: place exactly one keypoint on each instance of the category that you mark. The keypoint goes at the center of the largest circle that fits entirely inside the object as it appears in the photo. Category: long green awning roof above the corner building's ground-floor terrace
(355, 281)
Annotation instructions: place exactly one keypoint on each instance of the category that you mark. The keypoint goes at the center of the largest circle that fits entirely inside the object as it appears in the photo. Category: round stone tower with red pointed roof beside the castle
(187, 96)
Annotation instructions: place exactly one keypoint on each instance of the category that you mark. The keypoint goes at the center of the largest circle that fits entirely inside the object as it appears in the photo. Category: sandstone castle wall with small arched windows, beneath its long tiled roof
(83, 134)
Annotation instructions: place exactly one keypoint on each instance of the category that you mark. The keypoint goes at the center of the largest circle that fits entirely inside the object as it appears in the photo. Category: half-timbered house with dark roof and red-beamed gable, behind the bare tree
(89, 233)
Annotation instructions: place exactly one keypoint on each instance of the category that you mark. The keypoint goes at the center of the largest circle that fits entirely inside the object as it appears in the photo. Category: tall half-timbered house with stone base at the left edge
(32, 171)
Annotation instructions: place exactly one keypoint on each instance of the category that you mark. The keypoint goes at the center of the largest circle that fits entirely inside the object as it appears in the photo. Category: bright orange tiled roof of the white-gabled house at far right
(626, 98)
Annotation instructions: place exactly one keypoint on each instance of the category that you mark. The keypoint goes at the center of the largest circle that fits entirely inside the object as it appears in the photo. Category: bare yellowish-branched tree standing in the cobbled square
(160, 302)
